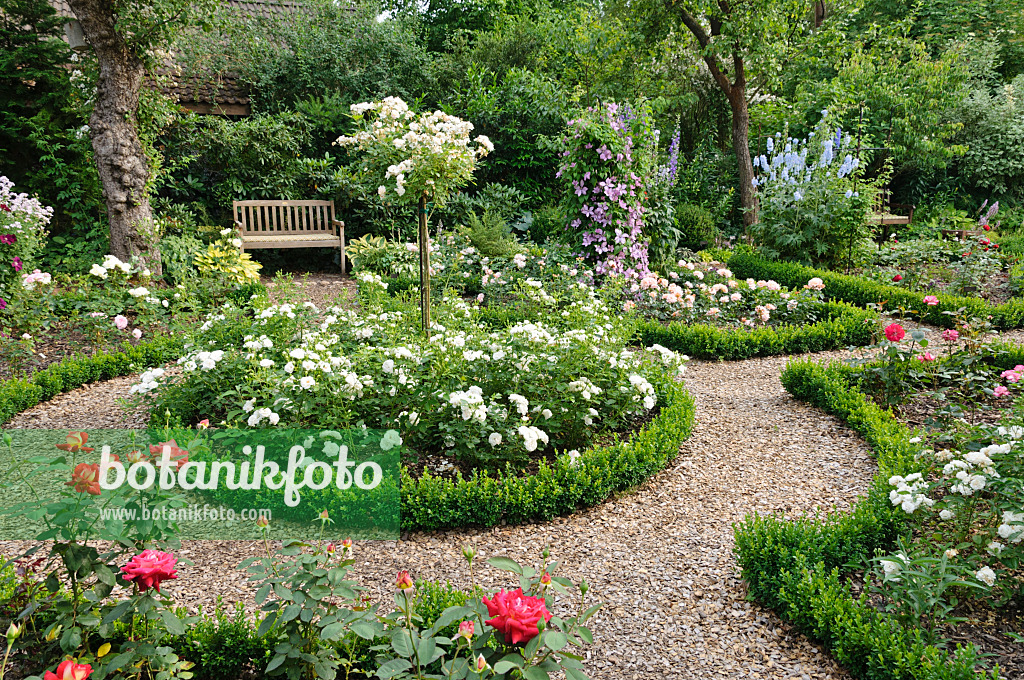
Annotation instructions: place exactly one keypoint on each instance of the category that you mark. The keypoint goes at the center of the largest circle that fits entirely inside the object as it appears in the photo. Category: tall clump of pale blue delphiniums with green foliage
(814, 202)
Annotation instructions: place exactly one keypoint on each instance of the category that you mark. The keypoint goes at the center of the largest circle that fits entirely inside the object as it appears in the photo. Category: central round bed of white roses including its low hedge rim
(479, 403)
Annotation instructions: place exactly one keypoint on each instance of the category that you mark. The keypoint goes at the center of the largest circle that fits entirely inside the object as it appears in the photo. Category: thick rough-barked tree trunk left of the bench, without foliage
(123, 166)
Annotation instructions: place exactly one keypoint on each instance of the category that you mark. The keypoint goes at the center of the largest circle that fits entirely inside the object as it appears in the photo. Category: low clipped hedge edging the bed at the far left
(18, 395)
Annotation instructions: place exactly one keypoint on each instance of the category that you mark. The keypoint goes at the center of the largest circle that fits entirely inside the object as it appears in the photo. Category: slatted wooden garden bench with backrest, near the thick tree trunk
(289, 225)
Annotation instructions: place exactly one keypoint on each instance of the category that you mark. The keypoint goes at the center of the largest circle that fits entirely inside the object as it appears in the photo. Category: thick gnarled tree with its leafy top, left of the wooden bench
(126, 35)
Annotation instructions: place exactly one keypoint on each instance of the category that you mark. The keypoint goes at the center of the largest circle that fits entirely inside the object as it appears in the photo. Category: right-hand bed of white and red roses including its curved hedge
(947, 522)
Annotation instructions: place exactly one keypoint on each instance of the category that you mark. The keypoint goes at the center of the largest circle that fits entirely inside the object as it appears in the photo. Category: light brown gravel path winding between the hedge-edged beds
(661, 559)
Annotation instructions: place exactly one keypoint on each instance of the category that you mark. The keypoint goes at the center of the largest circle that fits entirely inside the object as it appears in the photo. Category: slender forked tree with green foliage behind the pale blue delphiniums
(746, 45)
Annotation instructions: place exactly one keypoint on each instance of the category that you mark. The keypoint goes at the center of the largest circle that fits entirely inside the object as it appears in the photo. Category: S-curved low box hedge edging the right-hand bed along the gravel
(795, 568)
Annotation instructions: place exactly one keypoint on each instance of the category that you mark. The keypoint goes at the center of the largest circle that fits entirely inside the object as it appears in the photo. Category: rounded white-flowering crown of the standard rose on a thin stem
(415, 154)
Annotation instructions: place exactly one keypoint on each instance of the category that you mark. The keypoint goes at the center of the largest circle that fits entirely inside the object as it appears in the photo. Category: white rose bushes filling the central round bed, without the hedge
(473, 393)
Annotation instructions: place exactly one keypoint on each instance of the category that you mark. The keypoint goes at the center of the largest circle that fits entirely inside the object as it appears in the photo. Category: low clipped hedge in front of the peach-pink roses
(844, 326)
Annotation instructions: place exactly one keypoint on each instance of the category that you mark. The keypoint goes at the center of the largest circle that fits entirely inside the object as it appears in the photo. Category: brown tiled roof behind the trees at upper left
(222, 95)
